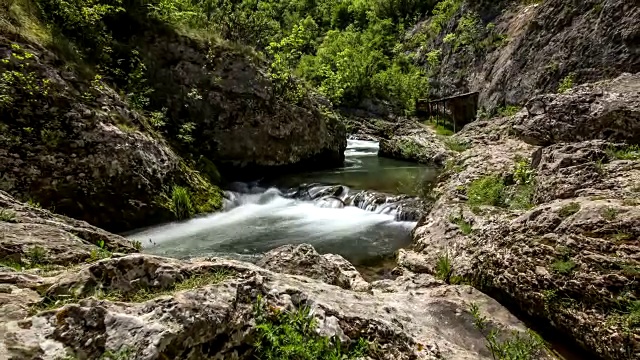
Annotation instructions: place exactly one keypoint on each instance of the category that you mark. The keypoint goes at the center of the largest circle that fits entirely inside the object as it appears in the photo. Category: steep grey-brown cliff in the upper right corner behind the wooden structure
(512, 52)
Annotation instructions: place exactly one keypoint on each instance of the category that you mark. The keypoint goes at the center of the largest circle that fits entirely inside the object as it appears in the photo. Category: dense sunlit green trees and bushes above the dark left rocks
(345, 49)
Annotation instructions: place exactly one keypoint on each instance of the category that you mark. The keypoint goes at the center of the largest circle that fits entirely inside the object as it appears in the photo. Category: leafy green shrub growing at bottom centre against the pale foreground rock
(292, 335)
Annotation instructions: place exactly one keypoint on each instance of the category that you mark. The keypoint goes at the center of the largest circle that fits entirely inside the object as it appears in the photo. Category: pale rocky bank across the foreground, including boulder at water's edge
(147, 307)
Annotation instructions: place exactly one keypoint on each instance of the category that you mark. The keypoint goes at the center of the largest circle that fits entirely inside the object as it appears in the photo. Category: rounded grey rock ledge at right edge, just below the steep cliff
(608, 110)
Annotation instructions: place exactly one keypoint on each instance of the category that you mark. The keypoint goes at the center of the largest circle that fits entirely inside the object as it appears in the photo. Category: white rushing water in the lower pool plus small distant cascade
(257, 220)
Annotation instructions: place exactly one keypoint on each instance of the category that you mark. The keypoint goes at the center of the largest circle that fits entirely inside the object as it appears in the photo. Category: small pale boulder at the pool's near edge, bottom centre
(304, 260)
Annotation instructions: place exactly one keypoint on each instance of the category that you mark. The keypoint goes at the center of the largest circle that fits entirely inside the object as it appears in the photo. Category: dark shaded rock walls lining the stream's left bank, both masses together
(74, 139)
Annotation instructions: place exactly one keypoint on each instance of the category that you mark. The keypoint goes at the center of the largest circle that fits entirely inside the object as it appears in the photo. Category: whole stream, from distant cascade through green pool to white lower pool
(341, 219)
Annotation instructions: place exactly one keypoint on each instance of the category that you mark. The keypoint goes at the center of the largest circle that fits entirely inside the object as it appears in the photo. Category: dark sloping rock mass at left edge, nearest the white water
(79, 148)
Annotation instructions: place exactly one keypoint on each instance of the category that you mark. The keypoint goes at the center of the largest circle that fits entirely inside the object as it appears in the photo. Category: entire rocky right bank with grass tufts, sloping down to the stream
(543, 211)
